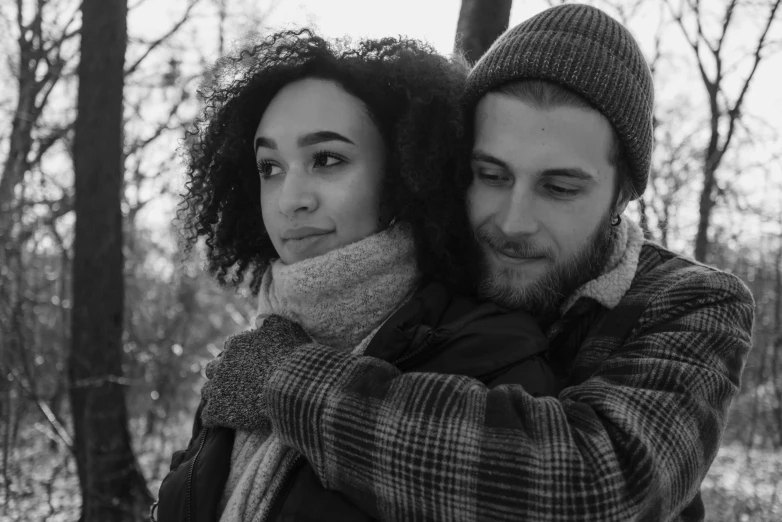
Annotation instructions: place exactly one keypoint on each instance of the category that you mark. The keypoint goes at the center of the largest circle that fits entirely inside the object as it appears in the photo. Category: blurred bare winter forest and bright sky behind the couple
(120, 356)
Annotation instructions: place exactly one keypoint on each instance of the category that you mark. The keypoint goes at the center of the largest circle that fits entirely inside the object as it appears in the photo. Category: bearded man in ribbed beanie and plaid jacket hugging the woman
(653, 343)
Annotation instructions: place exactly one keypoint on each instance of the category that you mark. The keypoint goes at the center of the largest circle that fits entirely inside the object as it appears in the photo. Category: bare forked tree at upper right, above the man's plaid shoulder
(725, 111)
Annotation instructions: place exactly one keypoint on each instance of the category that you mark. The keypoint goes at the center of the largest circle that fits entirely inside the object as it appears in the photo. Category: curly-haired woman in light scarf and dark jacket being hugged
(335, 176)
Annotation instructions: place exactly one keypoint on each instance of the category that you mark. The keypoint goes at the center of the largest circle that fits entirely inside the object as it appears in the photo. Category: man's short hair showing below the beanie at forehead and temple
(547, 95)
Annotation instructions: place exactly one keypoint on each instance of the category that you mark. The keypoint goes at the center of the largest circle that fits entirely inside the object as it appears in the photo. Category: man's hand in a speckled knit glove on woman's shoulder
(234, 394)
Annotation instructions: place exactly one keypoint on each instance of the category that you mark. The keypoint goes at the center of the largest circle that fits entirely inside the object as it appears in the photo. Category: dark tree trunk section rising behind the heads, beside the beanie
(480, 23)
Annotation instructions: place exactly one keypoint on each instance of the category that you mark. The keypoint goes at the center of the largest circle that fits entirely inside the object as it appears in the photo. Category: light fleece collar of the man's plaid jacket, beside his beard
(609, 288)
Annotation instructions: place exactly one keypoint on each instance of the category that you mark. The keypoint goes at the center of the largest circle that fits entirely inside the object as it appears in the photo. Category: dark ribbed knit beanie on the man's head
(585, 50)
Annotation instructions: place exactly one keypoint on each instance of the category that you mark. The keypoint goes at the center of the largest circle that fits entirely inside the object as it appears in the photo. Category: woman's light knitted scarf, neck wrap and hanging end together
(341, 299)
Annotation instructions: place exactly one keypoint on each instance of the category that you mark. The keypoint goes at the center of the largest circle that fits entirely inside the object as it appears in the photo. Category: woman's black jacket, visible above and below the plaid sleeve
(435, 332)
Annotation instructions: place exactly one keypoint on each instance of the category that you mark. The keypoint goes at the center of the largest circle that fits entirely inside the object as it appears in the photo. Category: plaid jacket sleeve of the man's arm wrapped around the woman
(633, 442)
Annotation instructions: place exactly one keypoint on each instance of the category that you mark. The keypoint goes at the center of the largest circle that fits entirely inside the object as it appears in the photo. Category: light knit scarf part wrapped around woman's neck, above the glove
(341, 296)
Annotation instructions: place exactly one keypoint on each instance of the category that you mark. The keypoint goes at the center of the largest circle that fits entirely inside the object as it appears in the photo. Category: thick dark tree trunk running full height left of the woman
(112, 487)
